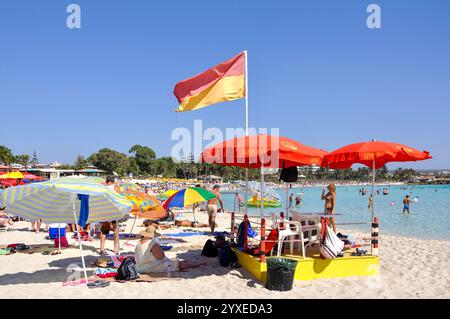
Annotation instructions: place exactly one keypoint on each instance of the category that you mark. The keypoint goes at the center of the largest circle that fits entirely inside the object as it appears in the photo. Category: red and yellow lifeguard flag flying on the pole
(223, 82)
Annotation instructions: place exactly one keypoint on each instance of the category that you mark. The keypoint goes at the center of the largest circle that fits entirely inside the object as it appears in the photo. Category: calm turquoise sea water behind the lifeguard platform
(429, 217)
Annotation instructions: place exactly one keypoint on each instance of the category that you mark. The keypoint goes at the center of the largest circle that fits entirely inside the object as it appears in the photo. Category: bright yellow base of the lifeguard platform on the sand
(314, 267)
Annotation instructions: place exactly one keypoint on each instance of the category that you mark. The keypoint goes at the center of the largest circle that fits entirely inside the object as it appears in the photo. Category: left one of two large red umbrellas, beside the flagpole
(262, 151)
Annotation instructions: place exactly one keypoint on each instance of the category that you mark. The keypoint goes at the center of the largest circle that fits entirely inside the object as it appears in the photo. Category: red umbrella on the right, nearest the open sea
(373, 154)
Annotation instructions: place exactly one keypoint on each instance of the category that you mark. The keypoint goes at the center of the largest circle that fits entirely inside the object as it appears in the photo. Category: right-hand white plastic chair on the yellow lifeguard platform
(310, 230)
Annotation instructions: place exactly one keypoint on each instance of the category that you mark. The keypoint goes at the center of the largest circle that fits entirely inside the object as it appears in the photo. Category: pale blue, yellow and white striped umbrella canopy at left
(53, 201)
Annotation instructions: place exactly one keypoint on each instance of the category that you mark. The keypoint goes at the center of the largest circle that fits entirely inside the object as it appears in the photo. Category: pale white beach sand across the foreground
(410, 268)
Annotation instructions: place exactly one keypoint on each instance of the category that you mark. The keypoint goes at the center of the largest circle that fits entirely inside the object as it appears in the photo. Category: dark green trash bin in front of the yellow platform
(280, 273)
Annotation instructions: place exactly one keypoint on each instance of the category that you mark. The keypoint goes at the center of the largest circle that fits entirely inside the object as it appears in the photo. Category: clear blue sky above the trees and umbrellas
(315, 71)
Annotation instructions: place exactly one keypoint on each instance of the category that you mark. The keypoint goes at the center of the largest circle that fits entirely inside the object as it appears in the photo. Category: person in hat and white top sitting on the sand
(150, 257)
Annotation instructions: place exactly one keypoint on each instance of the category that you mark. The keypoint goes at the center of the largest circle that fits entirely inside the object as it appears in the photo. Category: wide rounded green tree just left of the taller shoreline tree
(110, 161)
